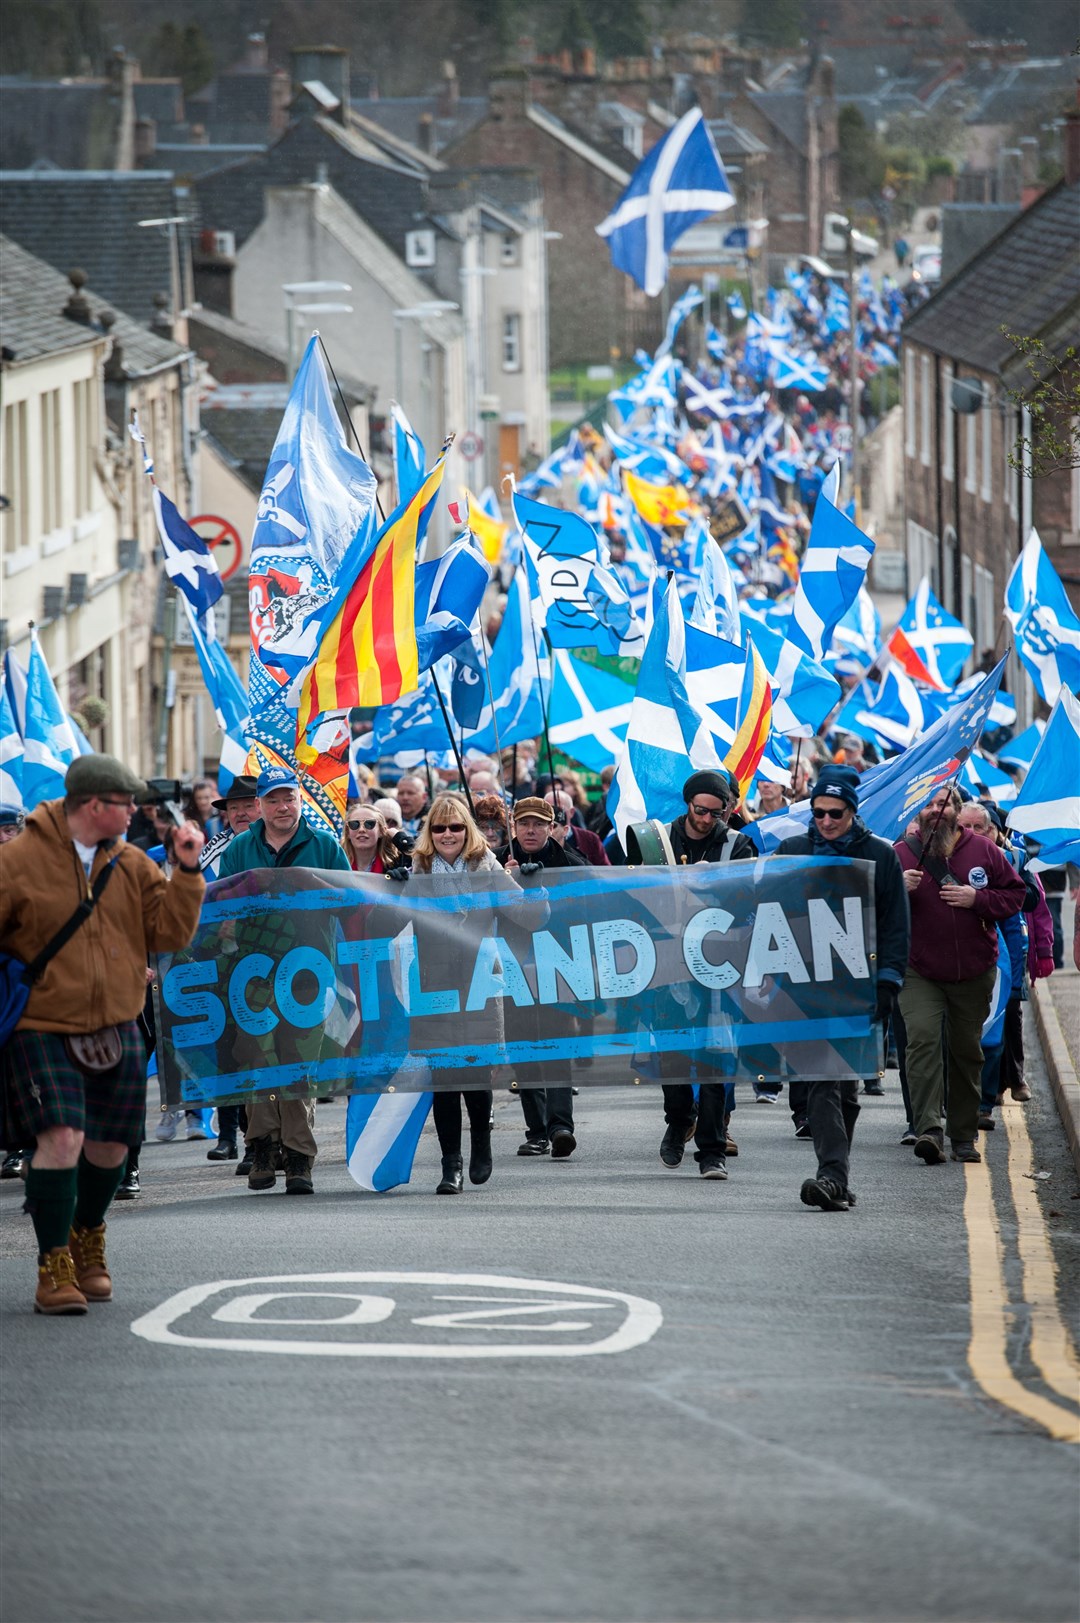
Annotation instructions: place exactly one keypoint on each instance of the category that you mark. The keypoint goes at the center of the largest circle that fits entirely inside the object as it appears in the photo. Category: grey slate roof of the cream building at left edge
(33, 296)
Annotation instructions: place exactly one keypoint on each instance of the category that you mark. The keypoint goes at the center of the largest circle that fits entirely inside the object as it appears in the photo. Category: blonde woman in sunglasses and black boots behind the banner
(451, 848)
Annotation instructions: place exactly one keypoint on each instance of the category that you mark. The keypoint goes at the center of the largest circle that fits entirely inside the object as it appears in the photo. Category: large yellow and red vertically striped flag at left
(368, 655)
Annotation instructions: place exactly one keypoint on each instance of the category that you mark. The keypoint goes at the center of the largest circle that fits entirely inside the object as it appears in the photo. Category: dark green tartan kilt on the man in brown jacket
(43, 1088)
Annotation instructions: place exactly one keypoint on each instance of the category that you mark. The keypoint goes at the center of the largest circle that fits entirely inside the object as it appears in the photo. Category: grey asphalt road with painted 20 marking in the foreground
(792, 1431)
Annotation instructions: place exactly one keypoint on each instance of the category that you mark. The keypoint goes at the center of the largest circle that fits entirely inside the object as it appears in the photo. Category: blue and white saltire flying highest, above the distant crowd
(676, 186)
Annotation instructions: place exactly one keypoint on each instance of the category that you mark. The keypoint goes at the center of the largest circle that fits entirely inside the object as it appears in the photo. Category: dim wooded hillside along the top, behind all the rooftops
(405, 45)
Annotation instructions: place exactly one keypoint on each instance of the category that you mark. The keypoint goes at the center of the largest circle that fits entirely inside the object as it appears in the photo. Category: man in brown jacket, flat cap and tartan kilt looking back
(74, 1072)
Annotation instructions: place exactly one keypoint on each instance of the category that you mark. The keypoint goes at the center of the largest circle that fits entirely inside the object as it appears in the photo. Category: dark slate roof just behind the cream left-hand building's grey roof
(92, 220)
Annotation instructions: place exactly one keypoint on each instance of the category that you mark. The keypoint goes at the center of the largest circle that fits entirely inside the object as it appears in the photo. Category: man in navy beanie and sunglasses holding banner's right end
(832, 1108)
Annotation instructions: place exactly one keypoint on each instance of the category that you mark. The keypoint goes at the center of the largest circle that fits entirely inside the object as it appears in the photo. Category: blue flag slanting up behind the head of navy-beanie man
(892, 793)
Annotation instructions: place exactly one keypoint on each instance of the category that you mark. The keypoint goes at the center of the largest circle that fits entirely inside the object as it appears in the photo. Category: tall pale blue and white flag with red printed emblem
(314, 528)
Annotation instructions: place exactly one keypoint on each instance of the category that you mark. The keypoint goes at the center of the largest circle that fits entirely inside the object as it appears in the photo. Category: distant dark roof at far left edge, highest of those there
(71, 126)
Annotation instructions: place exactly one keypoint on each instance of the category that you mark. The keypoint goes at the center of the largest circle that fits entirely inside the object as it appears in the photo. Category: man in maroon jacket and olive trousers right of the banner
(959, 887)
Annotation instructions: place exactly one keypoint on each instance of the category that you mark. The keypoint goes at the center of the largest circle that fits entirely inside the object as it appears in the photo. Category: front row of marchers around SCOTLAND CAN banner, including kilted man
(95, 884)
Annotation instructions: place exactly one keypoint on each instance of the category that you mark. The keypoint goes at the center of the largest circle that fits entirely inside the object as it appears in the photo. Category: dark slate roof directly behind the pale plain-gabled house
(391, 199)
